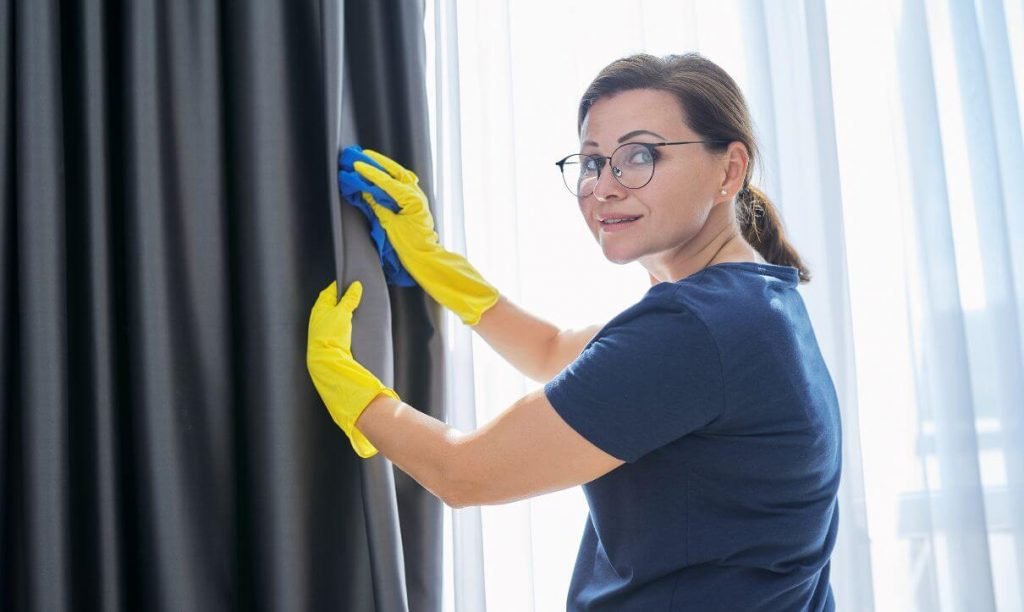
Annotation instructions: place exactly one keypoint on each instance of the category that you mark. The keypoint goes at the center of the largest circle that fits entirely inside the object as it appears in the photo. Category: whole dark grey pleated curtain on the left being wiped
(168, 217)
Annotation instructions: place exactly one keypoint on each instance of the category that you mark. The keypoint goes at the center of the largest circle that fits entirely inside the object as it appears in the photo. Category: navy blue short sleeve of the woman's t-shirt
(652, 376)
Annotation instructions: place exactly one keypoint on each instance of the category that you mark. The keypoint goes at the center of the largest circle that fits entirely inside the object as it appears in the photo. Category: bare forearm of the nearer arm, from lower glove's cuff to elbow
(421, 446)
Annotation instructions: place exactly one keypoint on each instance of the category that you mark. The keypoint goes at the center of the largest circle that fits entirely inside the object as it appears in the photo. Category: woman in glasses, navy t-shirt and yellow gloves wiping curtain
(702, 422)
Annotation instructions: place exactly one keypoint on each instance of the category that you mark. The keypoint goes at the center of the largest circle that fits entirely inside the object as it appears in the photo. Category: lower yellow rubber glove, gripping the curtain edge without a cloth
(345, 385)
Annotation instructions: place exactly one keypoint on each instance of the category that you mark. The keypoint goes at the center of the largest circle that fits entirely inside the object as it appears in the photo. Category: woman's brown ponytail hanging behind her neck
(761, 225)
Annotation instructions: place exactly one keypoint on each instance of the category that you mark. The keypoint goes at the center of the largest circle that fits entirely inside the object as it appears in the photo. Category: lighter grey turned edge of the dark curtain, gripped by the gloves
(379, 500)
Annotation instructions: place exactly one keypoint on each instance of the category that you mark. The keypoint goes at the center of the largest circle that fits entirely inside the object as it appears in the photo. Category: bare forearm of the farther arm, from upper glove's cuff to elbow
(524, 340)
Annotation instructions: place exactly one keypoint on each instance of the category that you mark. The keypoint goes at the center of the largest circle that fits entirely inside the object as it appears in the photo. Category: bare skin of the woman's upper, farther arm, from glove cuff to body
(534, 346)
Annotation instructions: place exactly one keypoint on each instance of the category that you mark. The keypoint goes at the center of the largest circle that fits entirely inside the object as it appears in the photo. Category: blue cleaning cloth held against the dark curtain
(353, 186)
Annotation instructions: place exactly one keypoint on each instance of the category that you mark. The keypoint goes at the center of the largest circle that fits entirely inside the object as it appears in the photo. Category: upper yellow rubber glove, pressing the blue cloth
(447, 277)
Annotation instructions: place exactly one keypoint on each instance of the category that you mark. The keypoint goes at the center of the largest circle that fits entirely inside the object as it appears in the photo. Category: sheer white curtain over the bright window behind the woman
(892, 142)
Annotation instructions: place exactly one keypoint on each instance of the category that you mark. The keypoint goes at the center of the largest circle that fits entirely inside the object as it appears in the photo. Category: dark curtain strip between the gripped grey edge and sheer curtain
(386, 64)
